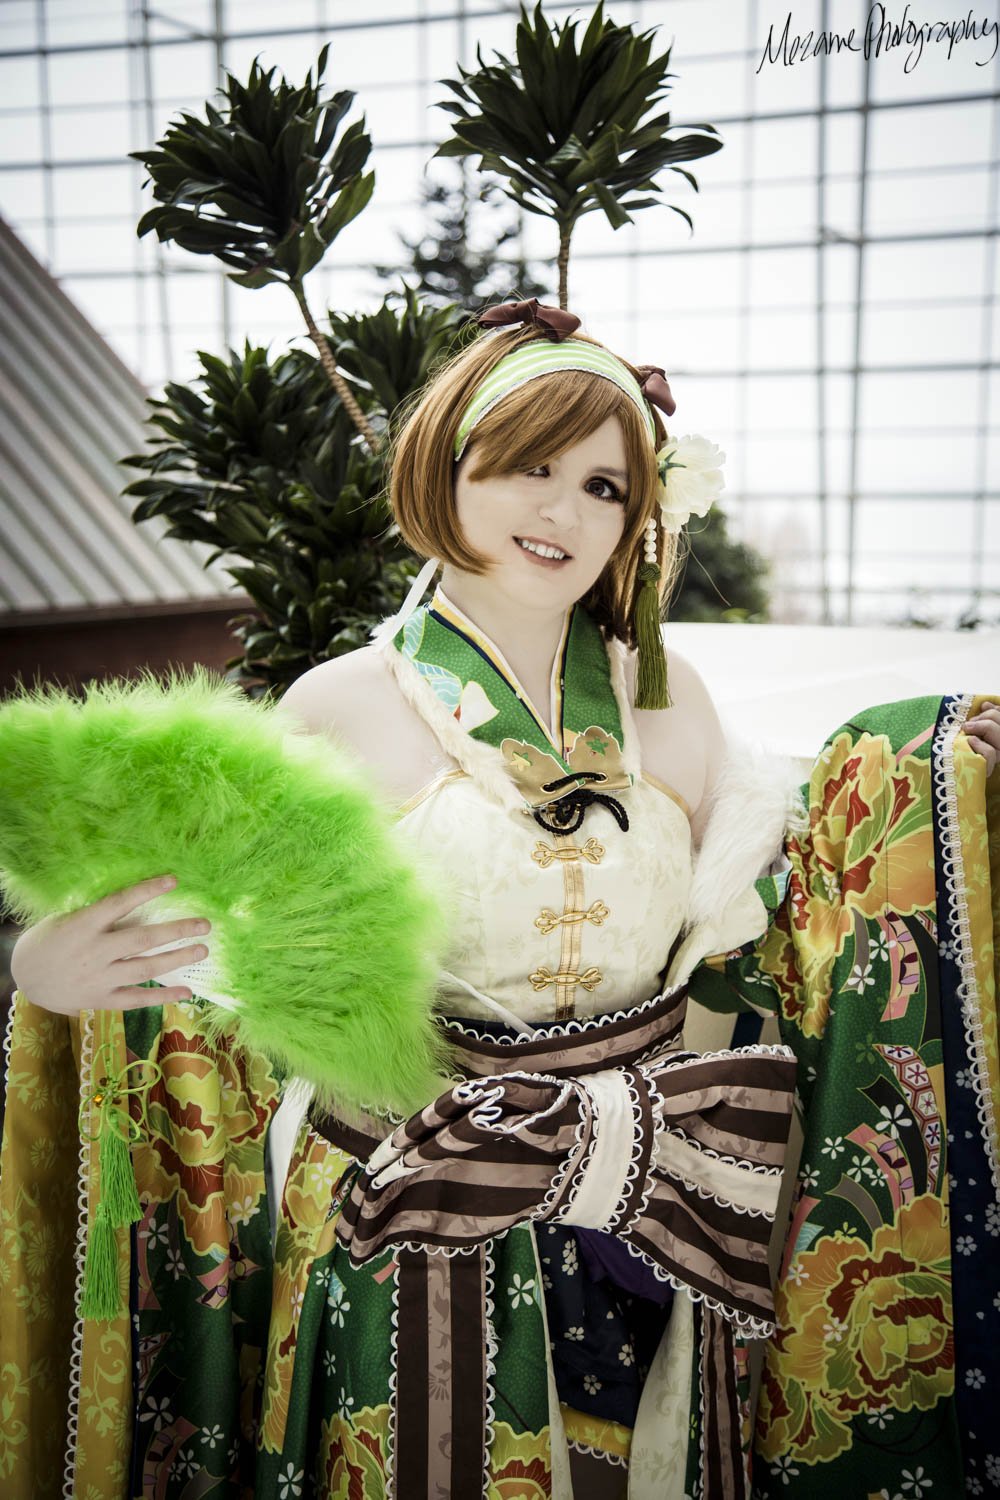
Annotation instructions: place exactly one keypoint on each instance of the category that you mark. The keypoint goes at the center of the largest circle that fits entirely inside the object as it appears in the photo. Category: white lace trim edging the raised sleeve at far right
(954, 869)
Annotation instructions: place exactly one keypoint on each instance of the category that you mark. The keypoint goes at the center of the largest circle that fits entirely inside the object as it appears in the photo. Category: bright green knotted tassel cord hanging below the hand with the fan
(116, 1199)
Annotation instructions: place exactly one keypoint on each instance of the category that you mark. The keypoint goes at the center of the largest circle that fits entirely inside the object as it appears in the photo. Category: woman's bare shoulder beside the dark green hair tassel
(683, 746)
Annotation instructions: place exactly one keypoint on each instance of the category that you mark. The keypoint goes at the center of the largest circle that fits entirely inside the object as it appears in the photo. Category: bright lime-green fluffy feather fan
(325, 932)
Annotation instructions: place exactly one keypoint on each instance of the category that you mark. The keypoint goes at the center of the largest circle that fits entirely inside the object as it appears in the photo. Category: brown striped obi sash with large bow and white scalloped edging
(605, 1124)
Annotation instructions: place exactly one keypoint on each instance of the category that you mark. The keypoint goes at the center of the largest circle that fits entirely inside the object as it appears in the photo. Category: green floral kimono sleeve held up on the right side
(872, 1382)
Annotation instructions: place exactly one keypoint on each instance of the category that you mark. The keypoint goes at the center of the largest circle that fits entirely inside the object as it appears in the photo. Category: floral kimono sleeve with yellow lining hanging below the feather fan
(163, 1400)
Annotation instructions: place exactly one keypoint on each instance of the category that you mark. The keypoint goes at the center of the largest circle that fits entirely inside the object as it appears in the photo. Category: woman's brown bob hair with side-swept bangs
(531, 425)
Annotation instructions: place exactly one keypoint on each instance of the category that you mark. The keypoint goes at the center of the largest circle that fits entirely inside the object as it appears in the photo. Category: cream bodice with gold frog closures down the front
(551, 926)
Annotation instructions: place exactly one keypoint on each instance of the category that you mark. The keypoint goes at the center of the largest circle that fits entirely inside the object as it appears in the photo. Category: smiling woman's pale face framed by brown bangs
(573, 506)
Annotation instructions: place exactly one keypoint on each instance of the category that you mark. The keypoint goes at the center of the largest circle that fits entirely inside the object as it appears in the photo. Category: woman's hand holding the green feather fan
(83, 962)
